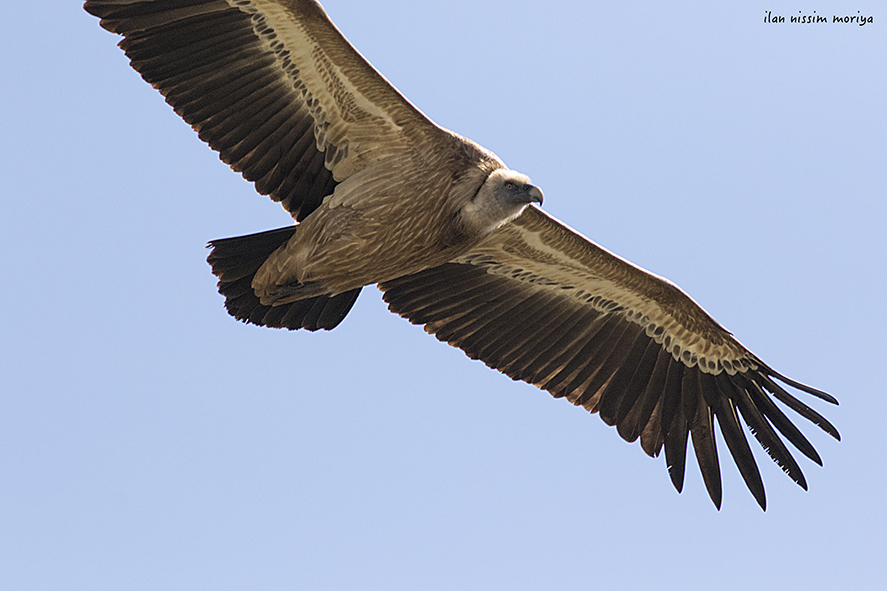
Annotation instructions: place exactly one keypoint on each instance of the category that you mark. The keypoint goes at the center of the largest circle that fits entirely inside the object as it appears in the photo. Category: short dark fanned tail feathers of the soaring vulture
(235, 262)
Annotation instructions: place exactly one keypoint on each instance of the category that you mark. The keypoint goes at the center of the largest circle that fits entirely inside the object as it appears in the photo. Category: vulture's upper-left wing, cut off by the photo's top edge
(275, 88)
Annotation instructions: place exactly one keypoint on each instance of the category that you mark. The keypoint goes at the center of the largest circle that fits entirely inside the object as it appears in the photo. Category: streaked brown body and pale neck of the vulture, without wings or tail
(364, 233)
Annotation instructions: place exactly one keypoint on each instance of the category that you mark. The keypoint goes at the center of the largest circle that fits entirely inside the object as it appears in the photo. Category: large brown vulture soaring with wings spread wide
(455, 239)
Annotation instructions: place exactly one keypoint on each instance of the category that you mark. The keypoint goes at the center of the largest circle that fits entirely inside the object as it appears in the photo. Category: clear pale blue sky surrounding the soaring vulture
(150, 441)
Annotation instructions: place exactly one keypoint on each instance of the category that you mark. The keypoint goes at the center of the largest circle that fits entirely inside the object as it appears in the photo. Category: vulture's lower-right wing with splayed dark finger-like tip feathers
(542, 303)
